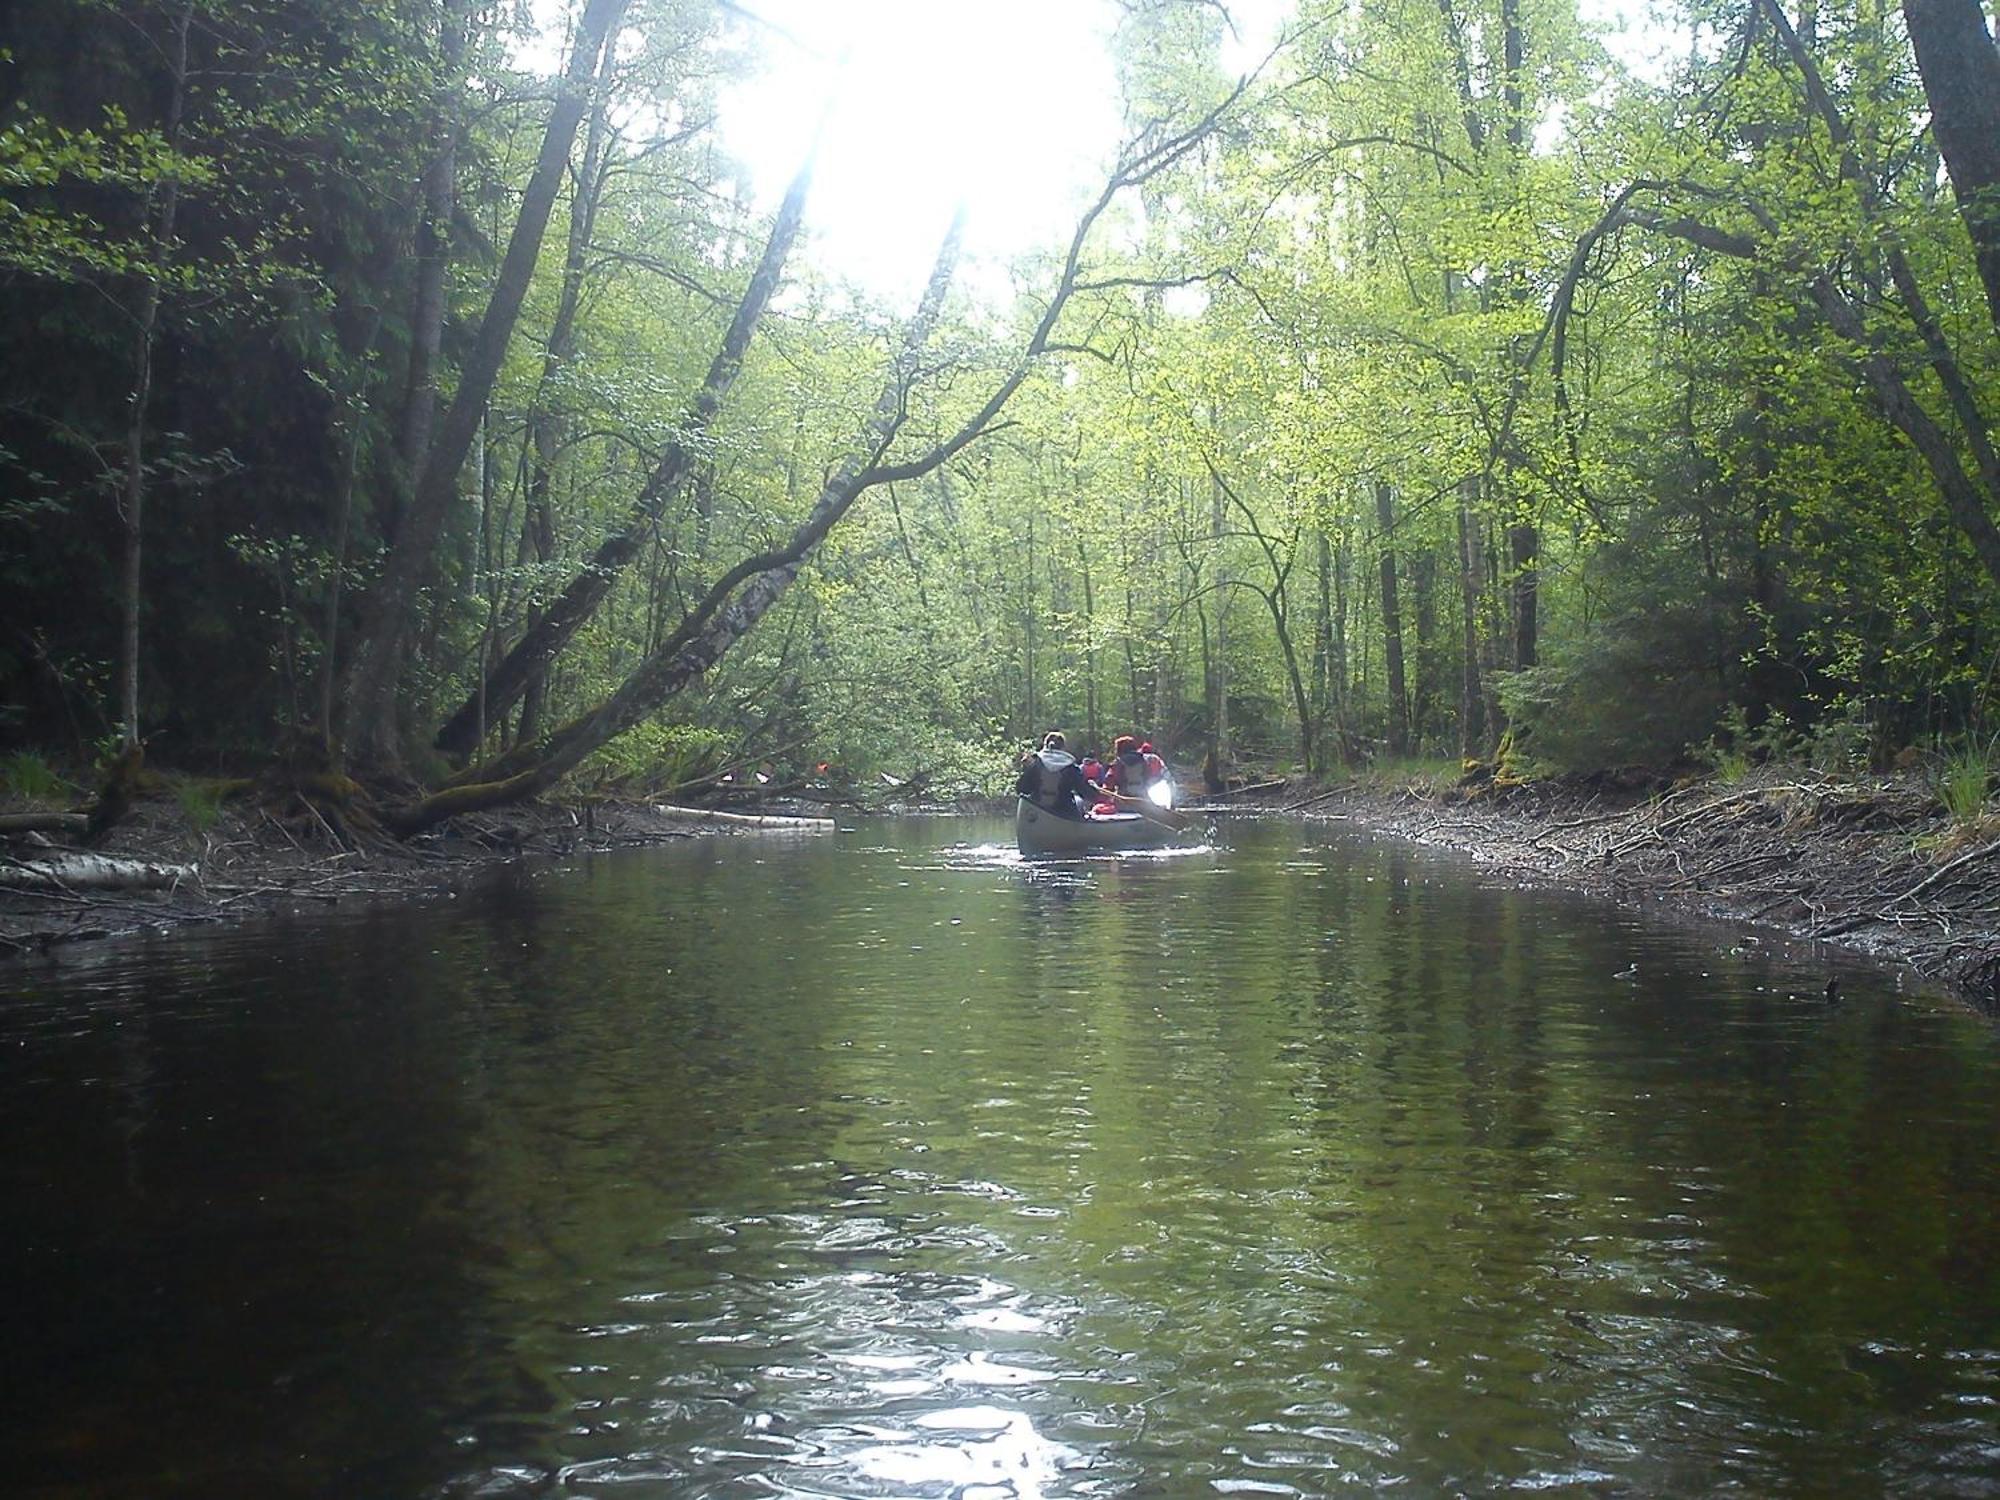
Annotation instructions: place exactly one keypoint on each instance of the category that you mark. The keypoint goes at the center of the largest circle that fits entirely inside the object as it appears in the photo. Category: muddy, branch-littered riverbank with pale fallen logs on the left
(241, 861)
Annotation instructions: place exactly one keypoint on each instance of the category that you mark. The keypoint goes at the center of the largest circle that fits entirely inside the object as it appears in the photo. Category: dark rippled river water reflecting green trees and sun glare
(881, 1165)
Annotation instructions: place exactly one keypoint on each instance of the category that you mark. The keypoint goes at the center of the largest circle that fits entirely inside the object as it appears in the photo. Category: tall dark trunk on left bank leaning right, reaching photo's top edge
(379, 651)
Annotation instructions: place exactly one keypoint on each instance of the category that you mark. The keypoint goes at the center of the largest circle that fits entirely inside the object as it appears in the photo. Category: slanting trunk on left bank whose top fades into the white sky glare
(593, 583)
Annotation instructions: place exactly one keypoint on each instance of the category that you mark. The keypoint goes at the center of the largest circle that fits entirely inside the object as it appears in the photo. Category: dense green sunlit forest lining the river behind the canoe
(419, 393)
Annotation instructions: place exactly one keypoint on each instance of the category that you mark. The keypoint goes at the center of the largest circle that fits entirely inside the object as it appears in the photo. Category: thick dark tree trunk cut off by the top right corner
(1961, 71)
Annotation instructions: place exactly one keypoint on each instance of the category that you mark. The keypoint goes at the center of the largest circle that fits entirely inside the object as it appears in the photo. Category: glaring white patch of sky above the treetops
(1011, 105)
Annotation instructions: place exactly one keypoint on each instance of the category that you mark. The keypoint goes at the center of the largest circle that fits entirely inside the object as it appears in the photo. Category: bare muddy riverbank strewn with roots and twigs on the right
(1871, 865)
